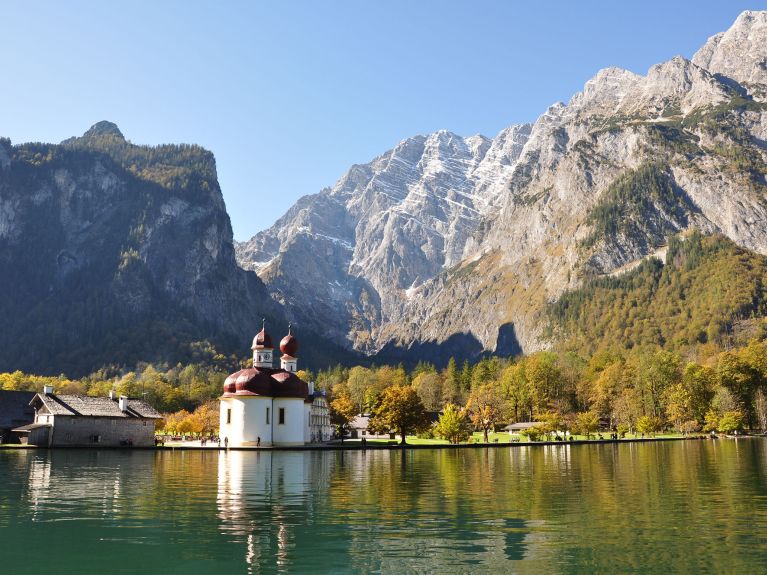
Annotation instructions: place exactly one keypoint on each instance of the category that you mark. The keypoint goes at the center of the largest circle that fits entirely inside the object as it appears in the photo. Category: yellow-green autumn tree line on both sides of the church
(640, 390)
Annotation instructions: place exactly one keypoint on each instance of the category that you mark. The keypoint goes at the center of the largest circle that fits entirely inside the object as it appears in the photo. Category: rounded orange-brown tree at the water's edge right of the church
(399, 410)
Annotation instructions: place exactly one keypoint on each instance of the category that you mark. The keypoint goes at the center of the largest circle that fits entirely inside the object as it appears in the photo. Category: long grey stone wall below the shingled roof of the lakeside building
(111, 431)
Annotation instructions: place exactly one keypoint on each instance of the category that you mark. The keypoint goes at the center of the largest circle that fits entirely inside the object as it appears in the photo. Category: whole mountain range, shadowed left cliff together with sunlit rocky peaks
(113, 253)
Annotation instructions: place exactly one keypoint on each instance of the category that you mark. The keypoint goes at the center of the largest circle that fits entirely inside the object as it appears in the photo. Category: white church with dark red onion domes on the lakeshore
(267, 407)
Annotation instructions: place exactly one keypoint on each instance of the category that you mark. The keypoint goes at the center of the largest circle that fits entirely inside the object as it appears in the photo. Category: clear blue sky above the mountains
(289, 94)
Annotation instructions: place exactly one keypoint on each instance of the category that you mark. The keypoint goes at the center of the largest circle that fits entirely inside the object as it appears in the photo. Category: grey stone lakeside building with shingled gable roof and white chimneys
(84, 421)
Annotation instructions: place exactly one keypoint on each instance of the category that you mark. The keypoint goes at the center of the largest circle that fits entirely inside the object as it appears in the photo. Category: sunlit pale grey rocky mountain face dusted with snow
(455, 245)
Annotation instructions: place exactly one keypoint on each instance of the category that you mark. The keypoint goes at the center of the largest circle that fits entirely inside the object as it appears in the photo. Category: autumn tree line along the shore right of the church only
(639, 391)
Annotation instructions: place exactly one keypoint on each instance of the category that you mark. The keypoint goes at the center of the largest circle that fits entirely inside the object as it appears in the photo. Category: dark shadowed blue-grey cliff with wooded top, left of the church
(111, 253)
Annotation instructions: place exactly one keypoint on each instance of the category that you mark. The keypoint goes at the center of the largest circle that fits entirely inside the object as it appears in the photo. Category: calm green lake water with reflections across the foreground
(667, 507)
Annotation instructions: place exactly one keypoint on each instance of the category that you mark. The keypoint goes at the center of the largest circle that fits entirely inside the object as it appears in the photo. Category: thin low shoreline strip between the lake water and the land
(378, 447)
